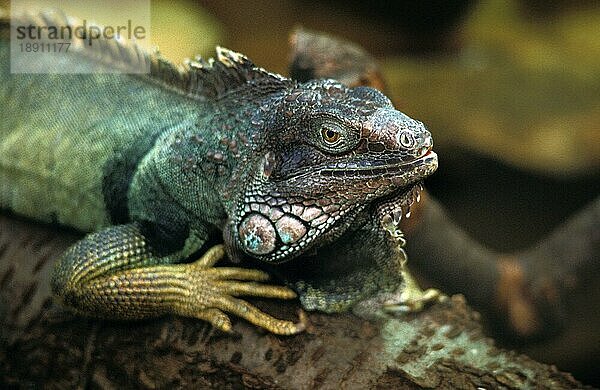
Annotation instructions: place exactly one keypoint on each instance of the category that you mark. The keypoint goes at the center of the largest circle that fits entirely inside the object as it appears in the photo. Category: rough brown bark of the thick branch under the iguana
(42, 344)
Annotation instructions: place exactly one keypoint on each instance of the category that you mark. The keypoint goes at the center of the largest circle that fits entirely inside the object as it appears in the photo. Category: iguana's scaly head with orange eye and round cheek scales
(322, 154)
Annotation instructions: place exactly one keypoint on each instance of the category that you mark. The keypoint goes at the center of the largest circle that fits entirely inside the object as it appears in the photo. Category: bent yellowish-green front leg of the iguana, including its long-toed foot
(117, 274)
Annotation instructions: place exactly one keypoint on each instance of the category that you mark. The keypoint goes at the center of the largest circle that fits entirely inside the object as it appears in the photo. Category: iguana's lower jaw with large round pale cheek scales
(276, 229)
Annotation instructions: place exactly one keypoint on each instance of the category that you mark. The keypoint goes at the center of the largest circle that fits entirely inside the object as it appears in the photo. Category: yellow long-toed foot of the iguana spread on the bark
(212, 291)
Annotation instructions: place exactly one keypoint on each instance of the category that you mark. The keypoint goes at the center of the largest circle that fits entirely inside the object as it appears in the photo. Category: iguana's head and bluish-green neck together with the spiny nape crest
(293, 165)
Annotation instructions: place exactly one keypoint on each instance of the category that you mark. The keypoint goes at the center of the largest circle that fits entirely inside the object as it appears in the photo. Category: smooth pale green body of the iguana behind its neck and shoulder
(70, 142)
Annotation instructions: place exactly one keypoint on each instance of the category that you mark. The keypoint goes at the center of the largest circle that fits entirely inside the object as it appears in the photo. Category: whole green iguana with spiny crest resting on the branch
(160, 167)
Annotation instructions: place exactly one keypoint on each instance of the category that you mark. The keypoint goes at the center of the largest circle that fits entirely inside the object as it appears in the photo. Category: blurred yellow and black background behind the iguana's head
(509, 89)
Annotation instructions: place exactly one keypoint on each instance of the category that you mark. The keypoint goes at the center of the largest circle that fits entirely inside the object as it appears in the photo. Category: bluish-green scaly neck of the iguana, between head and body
(199, 164)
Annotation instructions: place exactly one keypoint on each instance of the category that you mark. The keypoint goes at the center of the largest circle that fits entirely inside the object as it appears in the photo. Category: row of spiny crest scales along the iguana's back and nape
(197, 78)
